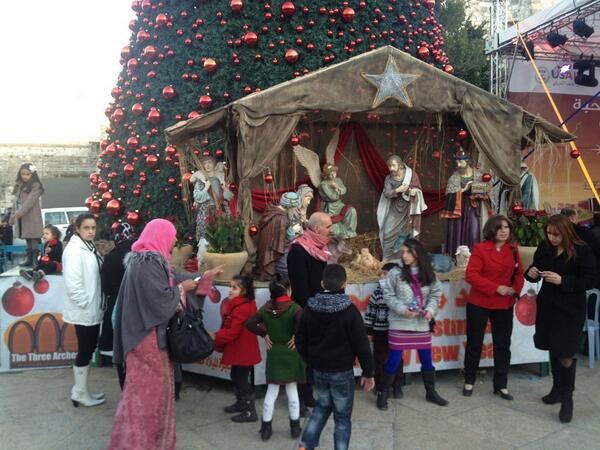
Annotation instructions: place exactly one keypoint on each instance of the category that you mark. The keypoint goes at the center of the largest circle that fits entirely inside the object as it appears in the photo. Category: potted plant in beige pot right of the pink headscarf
(225, 237)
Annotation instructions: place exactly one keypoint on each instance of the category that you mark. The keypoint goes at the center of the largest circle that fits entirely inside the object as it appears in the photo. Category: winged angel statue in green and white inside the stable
(330, 187)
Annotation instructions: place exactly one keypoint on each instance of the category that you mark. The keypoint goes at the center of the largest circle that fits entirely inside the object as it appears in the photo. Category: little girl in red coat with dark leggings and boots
(239, 346)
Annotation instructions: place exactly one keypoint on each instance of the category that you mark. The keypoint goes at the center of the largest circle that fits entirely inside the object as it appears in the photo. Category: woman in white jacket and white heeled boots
(83, 303)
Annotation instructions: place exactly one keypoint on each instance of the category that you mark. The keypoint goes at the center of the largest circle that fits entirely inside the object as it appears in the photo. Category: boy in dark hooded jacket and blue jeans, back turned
(330, 335)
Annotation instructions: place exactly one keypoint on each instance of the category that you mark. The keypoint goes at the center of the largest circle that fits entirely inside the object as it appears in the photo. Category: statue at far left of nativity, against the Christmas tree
(210, 194)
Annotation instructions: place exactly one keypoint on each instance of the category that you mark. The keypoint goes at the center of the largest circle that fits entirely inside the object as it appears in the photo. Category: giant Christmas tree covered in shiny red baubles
(188, 57)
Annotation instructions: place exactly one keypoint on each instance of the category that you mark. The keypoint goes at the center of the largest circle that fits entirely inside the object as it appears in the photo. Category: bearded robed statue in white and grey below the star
(400, 207)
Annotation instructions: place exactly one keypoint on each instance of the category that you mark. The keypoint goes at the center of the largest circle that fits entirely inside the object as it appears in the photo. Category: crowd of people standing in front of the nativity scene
(312, 331)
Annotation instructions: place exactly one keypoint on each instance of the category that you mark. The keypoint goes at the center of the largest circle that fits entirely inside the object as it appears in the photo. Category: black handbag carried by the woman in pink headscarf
(188, 339)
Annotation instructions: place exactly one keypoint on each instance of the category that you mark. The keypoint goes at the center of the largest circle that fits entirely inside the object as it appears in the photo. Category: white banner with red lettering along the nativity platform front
(449, 337)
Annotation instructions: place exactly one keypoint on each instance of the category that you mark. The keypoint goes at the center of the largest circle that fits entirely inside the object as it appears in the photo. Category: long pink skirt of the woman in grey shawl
(145, 417)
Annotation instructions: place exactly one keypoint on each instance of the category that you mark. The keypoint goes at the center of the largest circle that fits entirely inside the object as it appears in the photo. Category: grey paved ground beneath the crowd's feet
(36, 413)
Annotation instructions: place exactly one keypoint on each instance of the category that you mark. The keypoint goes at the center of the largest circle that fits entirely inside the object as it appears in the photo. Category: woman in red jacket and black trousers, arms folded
(495, 274)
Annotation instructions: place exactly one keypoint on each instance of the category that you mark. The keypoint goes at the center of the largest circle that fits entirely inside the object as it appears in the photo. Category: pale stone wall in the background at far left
(53, 161)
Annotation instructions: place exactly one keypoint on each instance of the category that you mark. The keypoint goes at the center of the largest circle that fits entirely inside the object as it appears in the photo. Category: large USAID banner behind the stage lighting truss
(560, 179)
